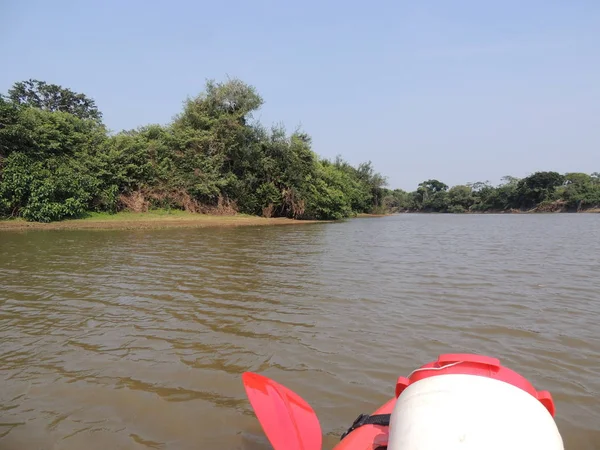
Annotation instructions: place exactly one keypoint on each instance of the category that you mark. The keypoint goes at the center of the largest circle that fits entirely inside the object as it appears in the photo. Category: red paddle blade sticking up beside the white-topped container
(287, 420)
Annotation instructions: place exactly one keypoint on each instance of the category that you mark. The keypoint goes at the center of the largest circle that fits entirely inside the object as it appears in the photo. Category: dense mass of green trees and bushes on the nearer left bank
(58, 161)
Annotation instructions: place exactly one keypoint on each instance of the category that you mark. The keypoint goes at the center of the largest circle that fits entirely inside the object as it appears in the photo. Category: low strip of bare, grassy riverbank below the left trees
(151, 220)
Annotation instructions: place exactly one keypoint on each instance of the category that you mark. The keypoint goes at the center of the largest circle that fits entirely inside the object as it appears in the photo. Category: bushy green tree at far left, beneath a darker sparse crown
(54, 174)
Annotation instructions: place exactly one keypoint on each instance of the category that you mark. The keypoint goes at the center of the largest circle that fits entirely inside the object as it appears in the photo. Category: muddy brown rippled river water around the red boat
(137, 339)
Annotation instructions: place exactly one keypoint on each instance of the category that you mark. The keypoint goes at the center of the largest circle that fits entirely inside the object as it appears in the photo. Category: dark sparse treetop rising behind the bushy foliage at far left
(52, 97)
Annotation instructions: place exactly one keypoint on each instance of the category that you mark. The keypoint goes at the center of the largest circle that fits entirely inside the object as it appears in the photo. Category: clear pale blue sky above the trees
(455, 90)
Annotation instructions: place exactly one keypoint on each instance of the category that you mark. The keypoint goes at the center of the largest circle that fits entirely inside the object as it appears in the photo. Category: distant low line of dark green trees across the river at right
(539, 192)
